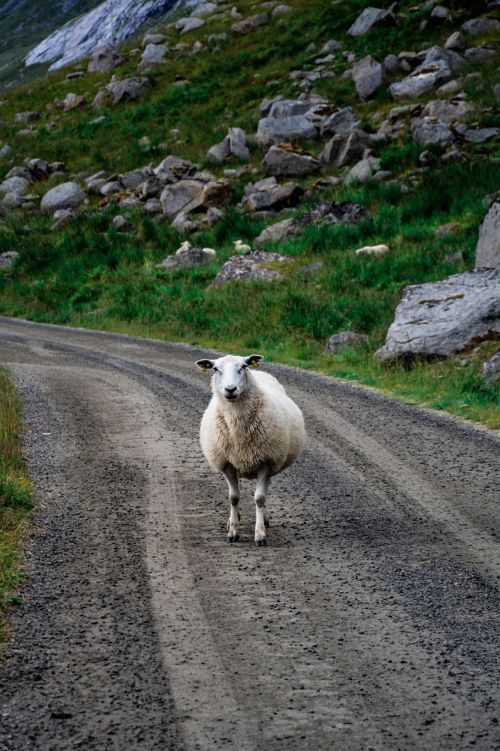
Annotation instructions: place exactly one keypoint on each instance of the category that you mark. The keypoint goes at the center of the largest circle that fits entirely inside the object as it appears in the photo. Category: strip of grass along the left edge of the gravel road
(15, 498)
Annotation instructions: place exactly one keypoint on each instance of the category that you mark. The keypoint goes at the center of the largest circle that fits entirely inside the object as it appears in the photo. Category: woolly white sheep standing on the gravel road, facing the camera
(250, 429)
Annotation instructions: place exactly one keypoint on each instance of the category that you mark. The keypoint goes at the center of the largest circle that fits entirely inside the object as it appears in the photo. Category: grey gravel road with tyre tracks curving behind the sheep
(369, 622)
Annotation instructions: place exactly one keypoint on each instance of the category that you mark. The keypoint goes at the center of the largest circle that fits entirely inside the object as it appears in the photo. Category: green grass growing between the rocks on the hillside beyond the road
(88, 274)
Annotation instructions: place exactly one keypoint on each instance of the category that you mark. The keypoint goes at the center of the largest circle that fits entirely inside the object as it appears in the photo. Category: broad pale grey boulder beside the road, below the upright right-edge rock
(439, 319)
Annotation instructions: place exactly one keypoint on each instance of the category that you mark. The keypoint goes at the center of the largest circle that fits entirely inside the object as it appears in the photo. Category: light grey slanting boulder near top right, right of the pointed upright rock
(438, 67)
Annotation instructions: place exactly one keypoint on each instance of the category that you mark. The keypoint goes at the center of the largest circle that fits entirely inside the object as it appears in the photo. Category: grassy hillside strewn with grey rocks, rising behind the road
(402, 171)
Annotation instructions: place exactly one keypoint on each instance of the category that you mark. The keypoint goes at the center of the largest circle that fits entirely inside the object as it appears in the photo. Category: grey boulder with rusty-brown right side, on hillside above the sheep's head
(192, 195)
